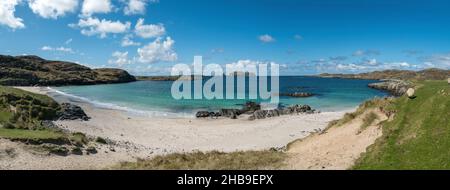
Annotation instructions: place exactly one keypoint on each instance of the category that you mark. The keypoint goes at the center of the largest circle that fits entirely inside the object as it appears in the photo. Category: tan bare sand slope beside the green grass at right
(337, 148)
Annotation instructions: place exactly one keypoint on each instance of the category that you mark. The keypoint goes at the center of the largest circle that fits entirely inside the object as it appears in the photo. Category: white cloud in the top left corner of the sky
(7, 17)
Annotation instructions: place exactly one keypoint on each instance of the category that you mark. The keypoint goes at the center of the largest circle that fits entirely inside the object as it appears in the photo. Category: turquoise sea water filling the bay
(153, 98)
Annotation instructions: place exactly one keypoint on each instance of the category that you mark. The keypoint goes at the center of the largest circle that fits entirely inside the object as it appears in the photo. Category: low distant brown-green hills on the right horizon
(427, 74)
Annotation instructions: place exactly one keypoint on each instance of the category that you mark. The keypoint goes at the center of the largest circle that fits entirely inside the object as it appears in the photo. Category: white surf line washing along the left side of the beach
(112, 106)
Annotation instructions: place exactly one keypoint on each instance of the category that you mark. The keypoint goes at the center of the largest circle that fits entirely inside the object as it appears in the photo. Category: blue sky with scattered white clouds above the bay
(147, 37)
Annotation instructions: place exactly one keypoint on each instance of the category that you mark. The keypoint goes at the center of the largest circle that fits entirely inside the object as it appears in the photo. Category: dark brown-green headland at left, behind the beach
(33, 70)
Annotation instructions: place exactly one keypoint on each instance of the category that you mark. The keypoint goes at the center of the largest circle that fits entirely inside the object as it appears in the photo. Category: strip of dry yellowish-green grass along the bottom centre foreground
(248, 160)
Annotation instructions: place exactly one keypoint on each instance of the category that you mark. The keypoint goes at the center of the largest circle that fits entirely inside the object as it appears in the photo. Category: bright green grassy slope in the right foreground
(419, 135)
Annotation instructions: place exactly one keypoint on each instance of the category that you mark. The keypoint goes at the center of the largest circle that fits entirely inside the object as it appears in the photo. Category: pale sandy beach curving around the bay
(143, 137)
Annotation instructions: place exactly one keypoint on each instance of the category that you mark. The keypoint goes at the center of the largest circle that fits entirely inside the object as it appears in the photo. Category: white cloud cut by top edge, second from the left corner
(52, 8)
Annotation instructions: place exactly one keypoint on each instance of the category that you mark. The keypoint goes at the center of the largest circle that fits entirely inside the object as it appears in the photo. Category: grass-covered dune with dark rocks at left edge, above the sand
(21, 116)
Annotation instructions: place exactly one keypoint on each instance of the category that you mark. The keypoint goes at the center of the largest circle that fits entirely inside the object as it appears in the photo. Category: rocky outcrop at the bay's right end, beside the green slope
(395, 87)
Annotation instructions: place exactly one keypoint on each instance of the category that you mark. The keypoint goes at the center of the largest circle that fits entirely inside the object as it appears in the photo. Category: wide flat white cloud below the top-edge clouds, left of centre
(94, 26)
